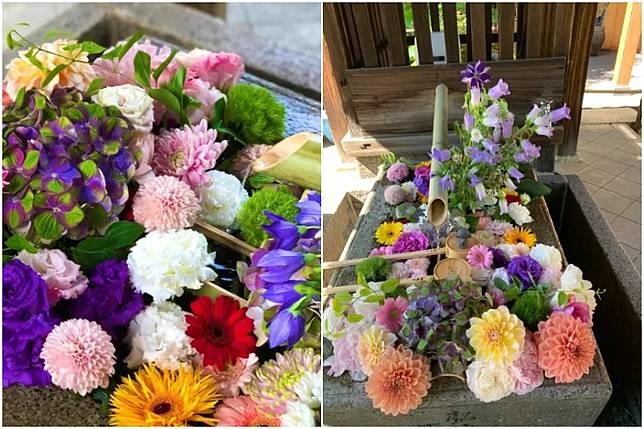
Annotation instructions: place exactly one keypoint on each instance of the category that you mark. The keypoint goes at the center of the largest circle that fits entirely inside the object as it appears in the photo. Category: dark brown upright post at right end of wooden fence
(576, 69)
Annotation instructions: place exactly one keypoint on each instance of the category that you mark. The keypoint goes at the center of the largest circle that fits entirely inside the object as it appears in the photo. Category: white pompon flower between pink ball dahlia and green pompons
(221, 201)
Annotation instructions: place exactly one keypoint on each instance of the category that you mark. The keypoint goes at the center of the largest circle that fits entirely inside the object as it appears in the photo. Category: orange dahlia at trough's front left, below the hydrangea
(399, 384)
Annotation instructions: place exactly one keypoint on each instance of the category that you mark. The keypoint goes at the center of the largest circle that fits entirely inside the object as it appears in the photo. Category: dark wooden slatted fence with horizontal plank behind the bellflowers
(378, 95)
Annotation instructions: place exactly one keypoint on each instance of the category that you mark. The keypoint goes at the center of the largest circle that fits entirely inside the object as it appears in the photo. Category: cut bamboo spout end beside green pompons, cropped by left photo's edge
(296, 159)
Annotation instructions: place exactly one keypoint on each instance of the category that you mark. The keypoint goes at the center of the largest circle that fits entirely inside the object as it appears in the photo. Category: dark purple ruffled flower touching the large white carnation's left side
(109, 300)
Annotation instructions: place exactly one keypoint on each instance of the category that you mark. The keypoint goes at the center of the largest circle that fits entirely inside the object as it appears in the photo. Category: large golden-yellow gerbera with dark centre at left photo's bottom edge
(163, 397)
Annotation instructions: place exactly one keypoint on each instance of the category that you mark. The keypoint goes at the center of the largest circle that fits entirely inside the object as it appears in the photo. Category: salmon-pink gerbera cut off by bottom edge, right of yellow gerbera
(243, 411)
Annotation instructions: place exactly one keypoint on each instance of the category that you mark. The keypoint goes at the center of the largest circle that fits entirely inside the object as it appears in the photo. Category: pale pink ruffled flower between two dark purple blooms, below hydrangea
(63, 277)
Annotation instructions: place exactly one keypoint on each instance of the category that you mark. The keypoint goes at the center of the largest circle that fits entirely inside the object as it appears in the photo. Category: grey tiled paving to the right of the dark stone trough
(609, 162)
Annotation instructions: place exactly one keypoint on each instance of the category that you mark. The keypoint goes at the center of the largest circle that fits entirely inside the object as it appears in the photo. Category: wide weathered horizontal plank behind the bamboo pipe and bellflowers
(399, 99)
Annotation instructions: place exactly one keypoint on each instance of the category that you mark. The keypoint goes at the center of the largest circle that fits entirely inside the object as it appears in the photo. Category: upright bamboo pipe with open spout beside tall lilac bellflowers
(437, 208)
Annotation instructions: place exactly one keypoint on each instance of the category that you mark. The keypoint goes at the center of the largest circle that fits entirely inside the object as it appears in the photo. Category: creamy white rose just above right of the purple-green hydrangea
(132, 101)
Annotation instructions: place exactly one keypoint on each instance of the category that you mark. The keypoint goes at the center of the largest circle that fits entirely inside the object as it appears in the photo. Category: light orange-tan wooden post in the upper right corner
(628, 44)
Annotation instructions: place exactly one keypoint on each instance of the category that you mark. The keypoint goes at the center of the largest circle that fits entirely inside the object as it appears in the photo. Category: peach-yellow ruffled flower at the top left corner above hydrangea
(22, 73)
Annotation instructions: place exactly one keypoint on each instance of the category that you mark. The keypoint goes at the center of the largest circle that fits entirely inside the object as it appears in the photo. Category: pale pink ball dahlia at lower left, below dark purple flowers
(79, 356)
